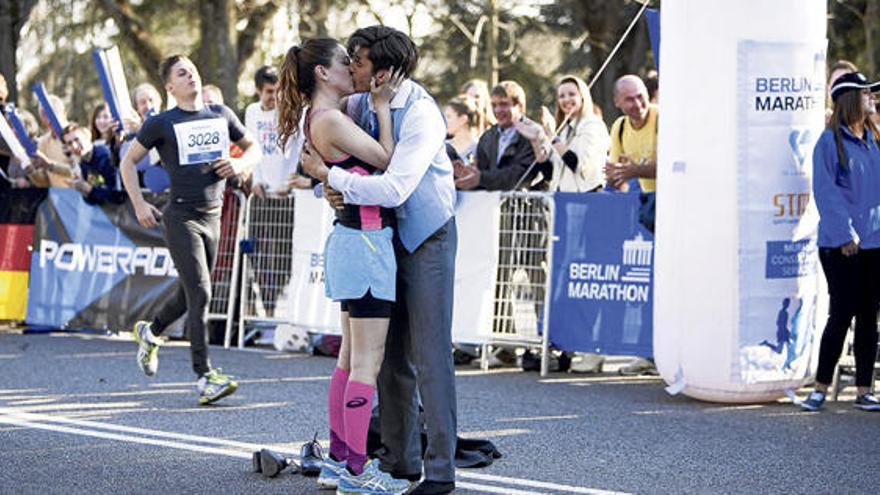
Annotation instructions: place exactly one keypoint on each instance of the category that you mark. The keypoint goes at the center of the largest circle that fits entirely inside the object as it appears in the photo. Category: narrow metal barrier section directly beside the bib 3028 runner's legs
(224, 275)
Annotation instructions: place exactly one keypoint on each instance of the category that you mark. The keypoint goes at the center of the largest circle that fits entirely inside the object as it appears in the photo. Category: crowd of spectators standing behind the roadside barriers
(491, 141)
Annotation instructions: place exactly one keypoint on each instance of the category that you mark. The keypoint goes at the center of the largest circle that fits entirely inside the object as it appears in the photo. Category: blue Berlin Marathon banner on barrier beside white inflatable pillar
(602, 292)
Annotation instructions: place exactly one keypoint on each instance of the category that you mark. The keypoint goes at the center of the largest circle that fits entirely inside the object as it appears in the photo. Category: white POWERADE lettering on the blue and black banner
(109, 259)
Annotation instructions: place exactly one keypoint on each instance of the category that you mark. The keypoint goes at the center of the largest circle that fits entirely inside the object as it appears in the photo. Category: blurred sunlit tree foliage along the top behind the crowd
(550, 38)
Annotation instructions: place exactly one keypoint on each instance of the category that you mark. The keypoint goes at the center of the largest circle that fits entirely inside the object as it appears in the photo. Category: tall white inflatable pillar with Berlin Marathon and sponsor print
(741, 106)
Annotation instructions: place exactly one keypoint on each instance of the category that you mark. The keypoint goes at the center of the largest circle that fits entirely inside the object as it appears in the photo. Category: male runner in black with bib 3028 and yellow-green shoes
(193, 141)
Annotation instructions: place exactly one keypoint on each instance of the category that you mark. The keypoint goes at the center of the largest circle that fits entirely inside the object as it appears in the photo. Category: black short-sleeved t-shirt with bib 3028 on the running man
(194, 181)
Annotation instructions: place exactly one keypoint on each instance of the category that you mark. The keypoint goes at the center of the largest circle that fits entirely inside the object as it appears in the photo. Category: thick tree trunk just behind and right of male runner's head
(216, 55)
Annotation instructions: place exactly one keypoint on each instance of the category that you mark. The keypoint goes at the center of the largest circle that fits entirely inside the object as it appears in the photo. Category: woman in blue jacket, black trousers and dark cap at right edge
(846, 185)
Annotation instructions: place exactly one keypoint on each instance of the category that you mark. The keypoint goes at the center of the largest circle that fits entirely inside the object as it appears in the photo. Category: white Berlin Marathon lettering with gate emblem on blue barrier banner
(627, 281)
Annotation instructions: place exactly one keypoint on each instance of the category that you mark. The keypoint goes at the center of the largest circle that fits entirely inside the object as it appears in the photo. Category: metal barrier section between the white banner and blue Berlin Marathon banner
(522, 288)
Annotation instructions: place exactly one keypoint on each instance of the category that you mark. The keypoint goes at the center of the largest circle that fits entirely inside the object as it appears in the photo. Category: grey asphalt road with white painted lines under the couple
(76, 416)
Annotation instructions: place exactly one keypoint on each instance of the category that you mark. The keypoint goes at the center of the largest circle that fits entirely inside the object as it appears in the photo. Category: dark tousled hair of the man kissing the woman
(388, 48)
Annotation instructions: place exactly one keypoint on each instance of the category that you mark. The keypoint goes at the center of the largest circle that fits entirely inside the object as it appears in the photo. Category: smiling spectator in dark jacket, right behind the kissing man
(505, 154)
